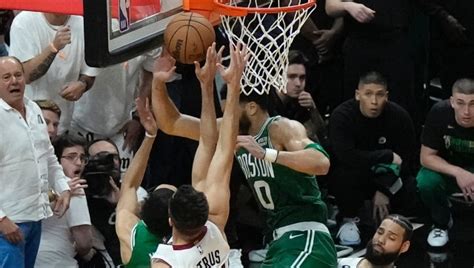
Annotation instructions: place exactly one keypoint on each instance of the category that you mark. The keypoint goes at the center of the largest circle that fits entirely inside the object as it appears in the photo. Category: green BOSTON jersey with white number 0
(285, 195)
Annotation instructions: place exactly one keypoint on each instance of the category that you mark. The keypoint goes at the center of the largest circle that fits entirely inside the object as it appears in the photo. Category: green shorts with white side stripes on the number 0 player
(311, 248)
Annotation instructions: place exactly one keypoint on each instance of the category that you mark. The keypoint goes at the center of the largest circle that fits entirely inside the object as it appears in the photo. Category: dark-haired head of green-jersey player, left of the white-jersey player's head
(155, 212)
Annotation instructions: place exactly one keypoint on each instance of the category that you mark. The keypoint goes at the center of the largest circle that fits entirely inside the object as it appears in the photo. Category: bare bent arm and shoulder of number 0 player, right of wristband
(290, 137)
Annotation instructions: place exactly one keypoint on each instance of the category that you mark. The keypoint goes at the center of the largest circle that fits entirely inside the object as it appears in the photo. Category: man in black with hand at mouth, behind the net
(297, 103)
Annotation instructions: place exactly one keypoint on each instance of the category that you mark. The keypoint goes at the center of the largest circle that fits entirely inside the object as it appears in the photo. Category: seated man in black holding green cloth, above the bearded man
(372, 139)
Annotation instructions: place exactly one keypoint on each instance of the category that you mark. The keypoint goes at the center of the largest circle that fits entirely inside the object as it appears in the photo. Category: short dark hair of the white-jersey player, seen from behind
(188, 210)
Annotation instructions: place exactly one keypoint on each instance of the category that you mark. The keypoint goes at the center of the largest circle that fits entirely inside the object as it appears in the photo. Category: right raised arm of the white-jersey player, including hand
(217, 180)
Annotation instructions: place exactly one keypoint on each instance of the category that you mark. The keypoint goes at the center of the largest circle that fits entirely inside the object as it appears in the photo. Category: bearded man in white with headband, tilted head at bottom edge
(391, 239)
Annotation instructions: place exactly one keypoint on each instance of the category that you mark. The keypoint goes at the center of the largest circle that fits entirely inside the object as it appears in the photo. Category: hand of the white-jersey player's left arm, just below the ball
(207, 73)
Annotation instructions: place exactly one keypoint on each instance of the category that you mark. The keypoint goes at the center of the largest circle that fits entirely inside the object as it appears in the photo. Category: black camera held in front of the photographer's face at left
(98, 172)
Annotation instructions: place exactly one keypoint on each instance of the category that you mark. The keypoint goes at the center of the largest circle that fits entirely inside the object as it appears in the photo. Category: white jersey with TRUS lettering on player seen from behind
(211, 251)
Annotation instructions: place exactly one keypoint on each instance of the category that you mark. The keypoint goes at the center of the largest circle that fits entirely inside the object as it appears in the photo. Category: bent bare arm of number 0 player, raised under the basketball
(169, 119)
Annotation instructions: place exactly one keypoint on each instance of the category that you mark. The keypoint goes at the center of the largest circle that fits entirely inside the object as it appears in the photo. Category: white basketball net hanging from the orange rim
(268, 32)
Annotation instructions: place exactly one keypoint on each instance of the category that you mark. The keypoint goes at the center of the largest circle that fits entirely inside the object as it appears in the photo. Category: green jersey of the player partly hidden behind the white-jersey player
(143, 244)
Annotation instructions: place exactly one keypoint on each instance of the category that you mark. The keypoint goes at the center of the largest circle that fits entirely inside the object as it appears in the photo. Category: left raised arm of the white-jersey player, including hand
(208, 128)
